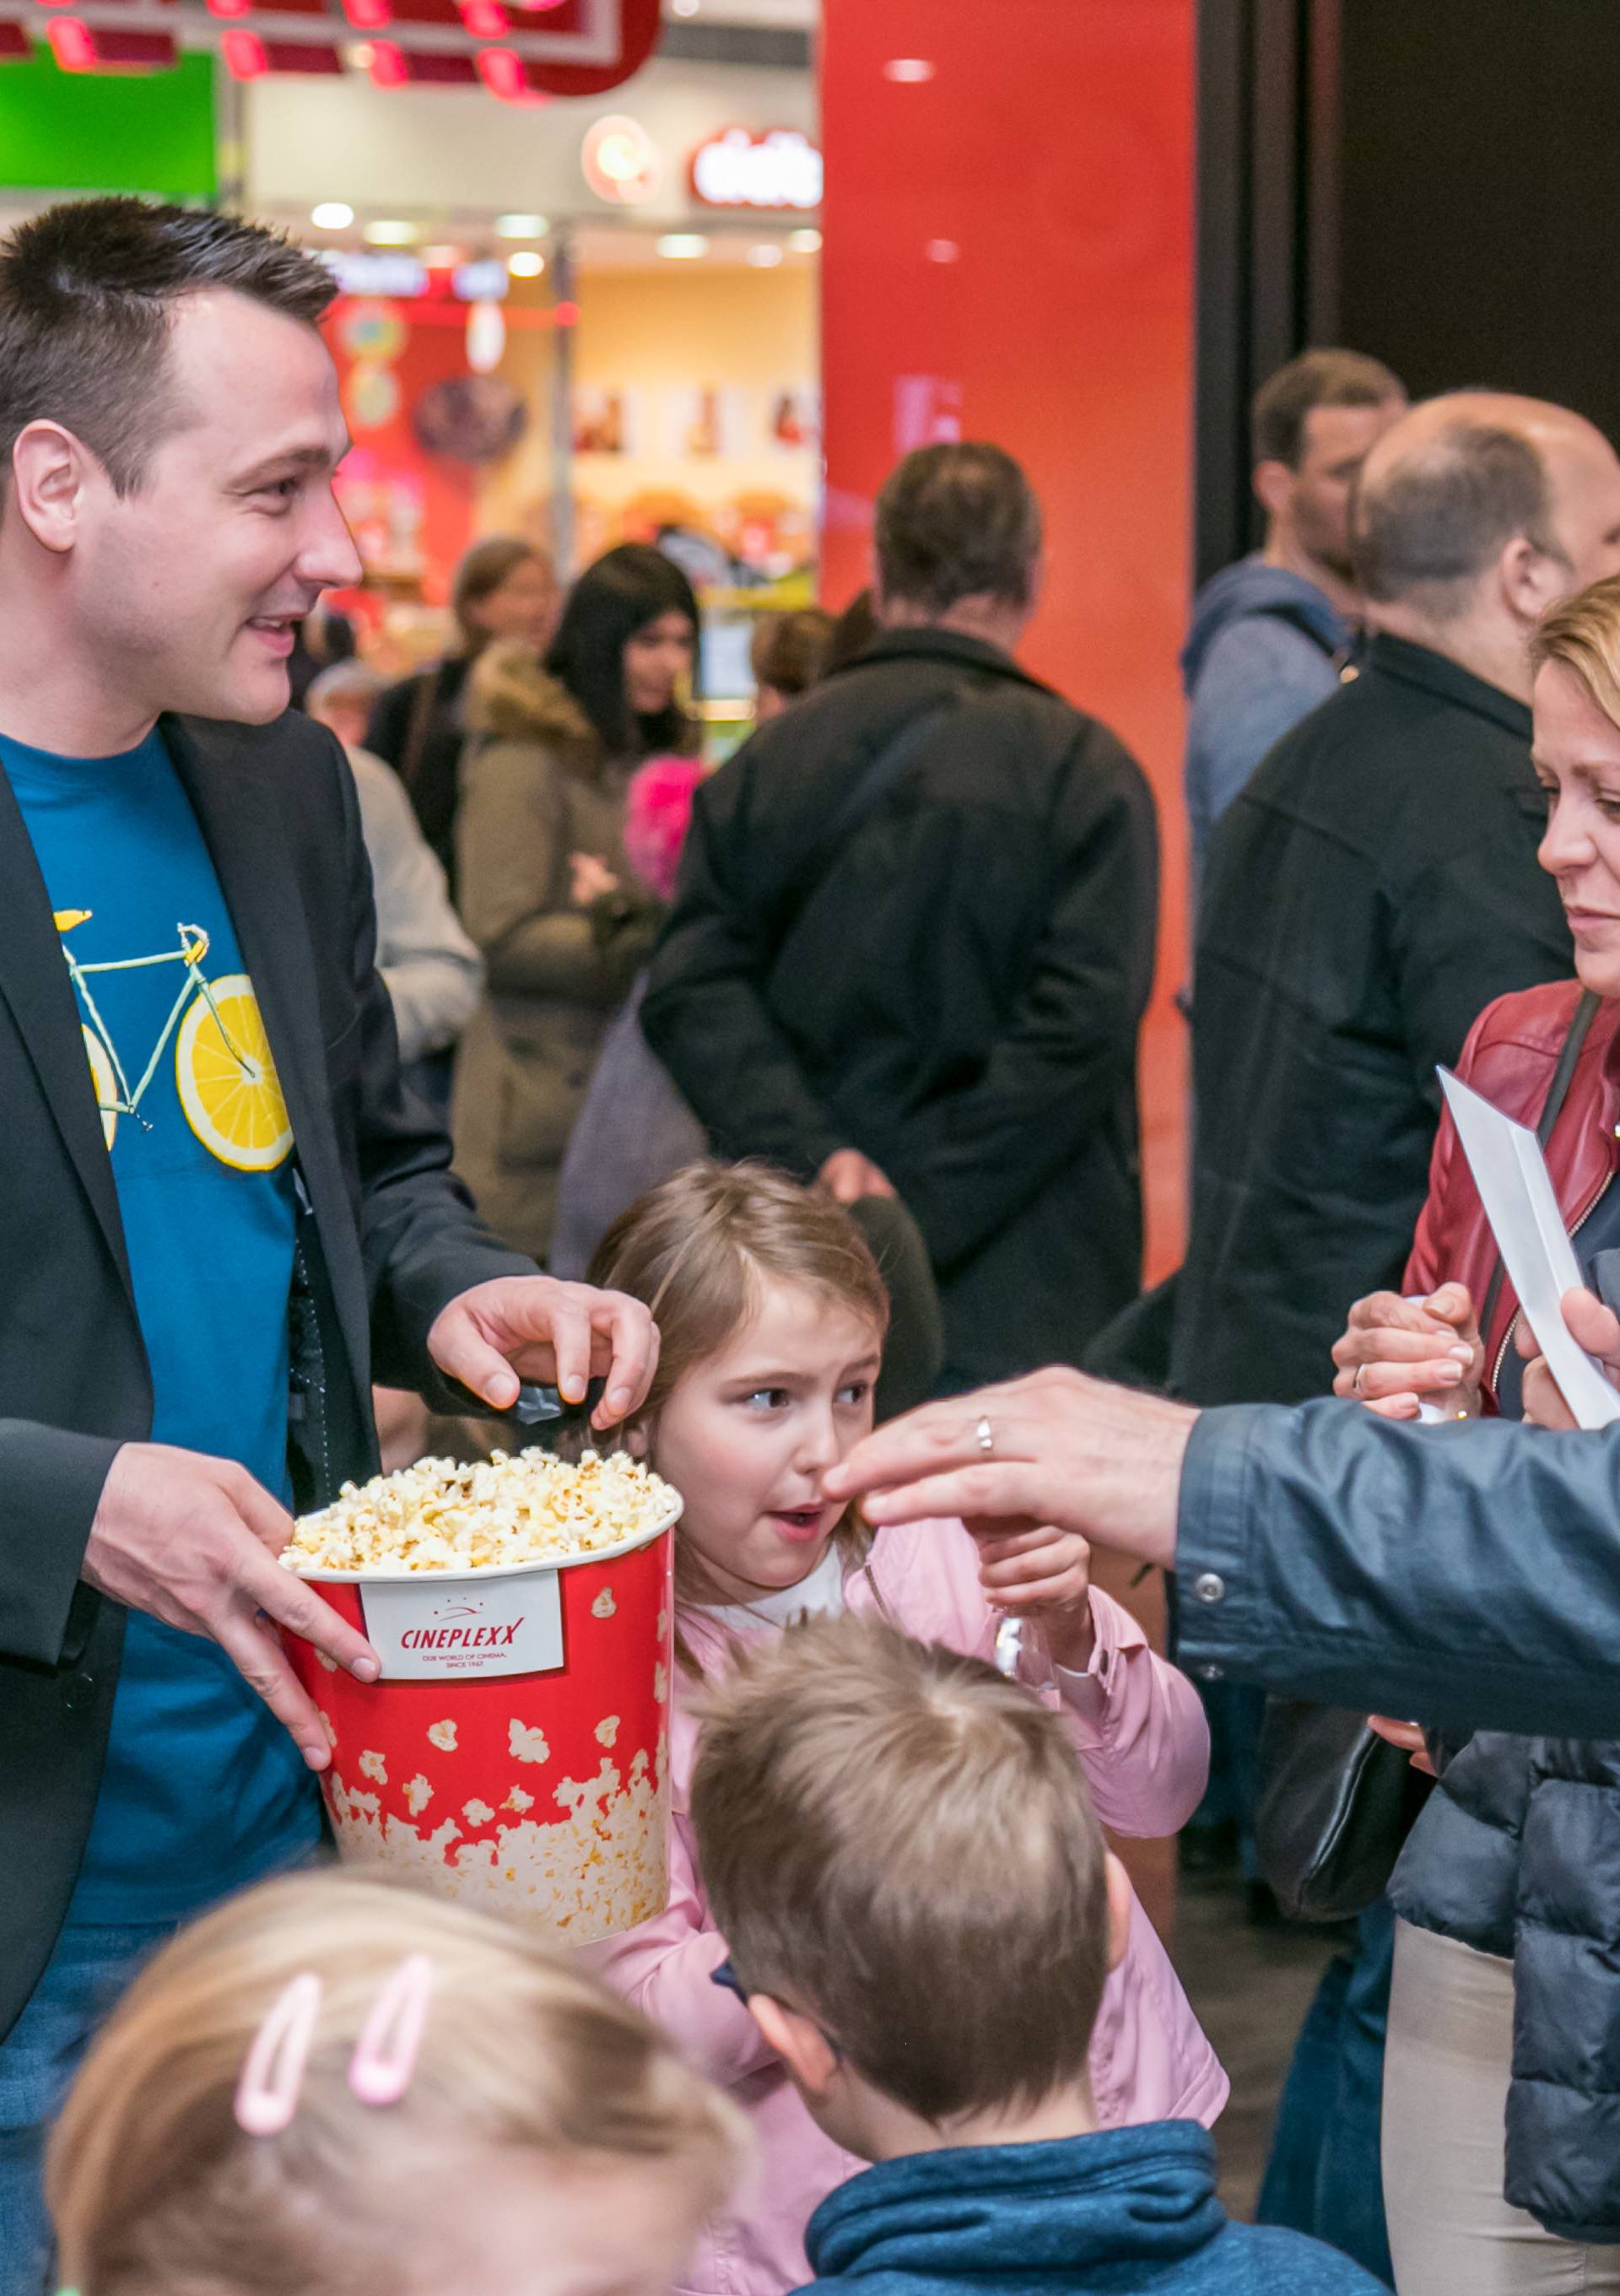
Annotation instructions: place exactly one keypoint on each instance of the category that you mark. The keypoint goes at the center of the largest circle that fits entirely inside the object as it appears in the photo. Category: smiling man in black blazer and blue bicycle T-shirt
(219, 1213)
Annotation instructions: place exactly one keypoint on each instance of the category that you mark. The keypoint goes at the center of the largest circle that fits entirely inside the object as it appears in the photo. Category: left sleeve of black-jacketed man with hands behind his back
(706, 1014)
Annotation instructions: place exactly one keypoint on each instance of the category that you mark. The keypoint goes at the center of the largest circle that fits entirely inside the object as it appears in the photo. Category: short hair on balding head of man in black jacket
(1442, 515)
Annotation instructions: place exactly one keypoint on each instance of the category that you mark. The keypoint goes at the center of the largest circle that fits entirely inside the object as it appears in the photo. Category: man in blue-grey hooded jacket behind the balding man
(1272, 633)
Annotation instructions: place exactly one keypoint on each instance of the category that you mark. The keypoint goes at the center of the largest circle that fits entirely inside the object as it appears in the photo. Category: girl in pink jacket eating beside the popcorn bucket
(772, 1317)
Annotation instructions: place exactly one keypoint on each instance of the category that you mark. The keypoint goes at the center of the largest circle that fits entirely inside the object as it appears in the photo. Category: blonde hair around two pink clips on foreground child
(157, 2192)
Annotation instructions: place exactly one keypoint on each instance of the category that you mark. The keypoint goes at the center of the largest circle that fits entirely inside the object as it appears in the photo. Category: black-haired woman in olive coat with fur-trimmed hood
(547, 892)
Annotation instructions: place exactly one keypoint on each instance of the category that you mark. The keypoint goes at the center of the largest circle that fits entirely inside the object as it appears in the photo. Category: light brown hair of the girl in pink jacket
(699, 1252)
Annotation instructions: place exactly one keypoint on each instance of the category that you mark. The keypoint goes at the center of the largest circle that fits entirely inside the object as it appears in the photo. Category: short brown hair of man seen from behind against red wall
(958, 522)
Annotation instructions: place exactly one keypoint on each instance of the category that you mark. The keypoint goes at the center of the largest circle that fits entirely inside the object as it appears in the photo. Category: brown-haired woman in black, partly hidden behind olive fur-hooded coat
(504, 589)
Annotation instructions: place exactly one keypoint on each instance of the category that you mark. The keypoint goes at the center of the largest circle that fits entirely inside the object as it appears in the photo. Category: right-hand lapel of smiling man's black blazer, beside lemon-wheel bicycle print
(233, 793)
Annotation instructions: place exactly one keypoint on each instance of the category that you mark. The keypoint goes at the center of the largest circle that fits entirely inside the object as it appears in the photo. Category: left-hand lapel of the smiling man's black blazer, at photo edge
(36, 986)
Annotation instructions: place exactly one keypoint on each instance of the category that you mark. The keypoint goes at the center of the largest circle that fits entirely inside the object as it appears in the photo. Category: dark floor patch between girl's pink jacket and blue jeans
(1252, 1989)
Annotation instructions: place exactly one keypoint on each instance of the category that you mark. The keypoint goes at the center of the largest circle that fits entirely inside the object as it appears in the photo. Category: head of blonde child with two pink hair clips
(336, 2088)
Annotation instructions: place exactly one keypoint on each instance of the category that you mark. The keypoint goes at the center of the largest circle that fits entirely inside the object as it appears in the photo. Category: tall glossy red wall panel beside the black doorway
(1008, 256)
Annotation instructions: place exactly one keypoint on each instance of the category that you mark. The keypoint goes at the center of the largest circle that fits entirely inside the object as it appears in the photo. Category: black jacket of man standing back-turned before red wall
(958, 991)
